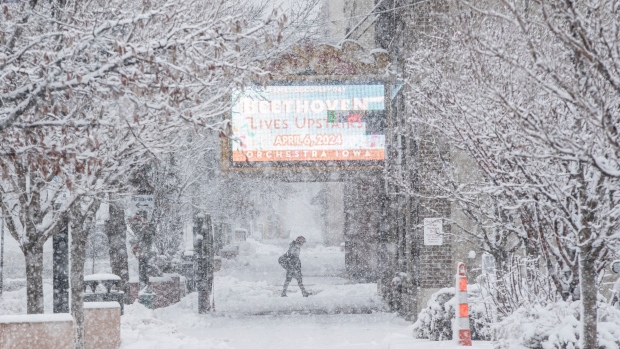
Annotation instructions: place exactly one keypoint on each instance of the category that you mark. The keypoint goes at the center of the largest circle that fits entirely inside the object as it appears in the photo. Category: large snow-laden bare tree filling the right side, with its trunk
(526, 90)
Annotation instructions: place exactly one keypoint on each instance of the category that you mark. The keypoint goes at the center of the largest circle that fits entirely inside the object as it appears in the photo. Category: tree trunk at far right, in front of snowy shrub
(589, 311)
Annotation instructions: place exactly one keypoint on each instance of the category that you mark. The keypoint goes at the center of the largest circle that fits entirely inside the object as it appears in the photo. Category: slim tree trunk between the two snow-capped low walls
(78, 258)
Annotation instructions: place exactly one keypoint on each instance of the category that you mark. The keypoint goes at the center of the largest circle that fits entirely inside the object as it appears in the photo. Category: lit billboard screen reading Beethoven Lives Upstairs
(309, 123)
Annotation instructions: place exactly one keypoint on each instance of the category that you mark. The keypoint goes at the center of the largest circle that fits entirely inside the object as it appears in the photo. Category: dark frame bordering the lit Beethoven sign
(291, 166)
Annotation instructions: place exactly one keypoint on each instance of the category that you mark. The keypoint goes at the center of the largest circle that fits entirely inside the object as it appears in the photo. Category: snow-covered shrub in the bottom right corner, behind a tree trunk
(554, 326)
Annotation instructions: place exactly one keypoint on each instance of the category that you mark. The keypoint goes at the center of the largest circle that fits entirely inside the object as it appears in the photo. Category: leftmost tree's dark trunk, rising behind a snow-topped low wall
(34, 278)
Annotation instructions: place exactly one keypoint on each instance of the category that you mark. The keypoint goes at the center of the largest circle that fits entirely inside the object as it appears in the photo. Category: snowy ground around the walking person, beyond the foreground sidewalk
(252, 284)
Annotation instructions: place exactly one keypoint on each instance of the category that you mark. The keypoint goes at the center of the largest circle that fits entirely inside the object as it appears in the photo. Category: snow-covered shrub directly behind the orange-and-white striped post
(435, 321)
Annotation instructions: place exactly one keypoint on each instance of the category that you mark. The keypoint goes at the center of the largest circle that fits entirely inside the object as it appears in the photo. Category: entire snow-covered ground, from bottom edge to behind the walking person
(251, 314)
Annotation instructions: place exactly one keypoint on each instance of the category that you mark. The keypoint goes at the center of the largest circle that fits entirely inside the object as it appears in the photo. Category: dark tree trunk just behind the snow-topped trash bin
(116, 230)
